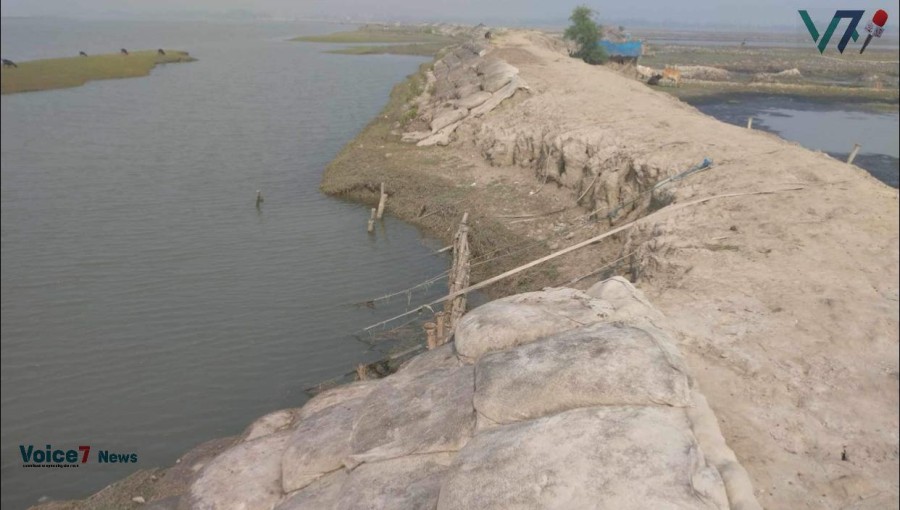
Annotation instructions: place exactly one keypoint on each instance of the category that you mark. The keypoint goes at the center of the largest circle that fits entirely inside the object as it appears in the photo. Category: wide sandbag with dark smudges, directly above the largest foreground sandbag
(603, 364)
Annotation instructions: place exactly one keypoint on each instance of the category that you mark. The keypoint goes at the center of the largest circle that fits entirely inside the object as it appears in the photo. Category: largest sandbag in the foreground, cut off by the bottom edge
(617, 458)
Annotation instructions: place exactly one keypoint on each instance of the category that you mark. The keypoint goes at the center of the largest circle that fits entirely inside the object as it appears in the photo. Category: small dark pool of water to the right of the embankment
(830, 127)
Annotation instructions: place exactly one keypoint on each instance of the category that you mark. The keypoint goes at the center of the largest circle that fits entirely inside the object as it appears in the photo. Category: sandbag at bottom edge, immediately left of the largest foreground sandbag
(407, 483)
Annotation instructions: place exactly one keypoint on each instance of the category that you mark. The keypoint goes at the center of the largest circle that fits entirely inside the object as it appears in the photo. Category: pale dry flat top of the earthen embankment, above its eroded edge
(786, 304)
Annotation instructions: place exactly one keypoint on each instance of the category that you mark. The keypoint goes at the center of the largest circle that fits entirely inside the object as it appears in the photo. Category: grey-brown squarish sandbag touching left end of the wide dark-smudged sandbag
(404, 416)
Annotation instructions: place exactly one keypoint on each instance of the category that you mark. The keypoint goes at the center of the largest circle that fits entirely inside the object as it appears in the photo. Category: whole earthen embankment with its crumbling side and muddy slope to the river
(785, 303)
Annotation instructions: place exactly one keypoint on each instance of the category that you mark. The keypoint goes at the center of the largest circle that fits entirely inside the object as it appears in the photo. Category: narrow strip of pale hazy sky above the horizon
(631, 12)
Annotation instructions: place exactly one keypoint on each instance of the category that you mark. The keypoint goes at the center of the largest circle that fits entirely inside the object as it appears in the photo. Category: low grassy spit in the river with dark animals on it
(58, 73)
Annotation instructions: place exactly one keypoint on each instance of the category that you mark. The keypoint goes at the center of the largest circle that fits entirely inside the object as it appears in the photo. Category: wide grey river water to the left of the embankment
(147, 306)
